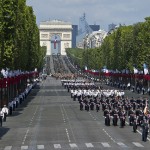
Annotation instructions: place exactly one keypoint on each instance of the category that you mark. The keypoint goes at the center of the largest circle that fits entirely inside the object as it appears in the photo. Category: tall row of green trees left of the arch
(19, 40)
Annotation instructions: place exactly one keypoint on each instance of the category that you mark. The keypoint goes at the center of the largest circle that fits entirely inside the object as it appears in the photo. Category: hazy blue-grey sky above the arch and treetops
(101, 12)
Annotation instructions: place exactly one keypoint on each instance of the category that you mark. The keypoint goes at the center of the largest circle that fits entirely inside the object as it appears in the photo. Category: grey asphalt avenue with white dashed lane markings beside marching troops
(49, 119)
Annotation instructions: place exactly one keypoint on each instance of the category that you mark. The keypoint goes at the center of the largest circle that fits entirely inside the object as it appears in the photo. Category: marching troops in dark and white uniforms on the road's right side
(117, 109)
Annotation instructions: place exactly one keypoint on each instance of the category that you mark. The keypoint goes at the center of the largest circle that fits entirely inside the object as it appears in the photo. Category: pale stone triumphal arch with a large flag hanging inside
(56, 36)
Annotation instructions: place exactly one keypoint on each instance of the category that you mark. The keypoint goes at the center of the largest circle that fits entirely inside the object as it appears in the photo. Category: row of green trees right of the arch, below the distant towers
(125, 47)
